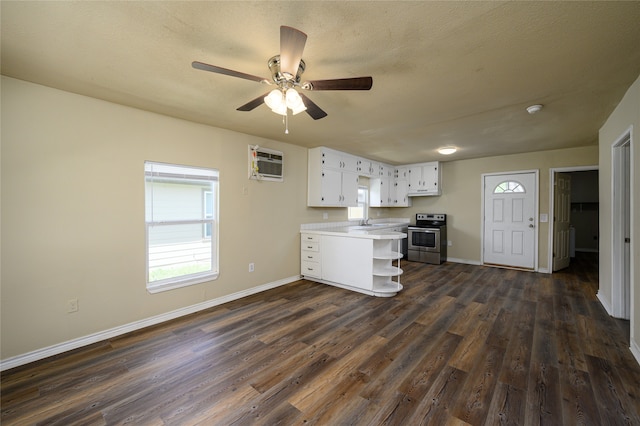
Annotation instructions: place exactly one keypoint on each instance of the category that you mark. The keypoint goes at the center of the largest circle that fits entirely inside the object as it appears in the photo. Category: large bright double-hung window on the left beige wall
(181, 216)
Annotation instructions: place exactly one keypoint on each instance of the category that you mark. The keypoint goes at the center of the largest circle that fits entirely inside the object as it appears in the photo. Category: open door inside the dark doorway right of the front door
(561, 220)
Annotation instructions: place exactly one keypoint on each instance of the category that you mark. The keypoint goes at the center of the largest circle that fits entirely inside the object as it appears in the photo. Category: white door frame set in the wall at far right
(618, 212)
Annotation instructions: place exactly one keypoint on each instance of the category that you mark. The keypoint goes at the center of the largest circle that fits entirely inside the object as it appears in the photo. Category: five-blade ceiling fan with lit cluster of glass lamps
(286, 71)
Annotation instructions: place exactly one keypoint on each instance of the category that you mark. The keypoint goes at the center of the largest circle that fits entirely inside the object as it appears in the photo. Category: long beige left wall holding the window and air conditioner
(73, 214)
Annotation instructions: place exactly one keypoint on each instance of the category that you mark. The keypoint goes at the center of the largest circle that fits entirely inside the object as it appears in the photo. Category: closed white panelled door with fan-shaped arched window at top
(510, 226)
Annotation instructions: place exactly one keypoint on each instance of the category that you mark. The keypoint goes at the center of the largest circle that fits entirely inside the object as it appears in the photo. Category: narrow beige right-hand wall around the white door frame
(626, 115)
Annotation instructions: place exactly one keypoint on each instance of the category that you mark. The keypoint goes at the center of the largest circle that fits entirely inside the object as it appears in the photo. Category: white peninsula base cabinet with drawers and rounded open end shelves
(360, 264)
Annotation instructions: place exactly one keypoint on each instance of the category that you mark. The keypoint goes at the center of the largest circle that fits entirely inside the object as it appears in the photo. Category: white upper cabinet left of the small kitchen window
(332, 179)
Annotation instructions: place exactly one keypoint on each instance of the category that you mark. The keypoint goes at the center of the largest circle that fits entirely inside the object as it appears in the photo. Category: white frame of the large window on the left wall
(190, 174)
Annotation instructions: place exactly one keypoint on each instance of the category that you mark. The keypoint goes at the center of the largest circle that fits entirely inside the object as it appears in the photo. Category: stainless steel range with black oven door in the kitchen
(427, 239)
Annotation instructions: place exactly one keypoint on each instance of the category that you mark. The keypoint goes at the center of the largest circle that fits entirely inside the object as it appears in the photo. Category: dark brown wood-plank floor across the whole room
(461, 344)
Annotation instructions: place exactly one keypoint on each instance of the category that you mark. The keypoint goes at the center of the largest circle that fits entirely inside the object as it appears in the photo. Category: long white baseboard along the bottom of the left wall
(137, 325)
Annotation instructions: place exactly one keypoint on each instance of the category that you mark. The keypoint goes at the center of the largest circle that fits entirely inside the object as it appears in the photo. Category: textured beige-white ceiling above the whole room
(444, 73)
